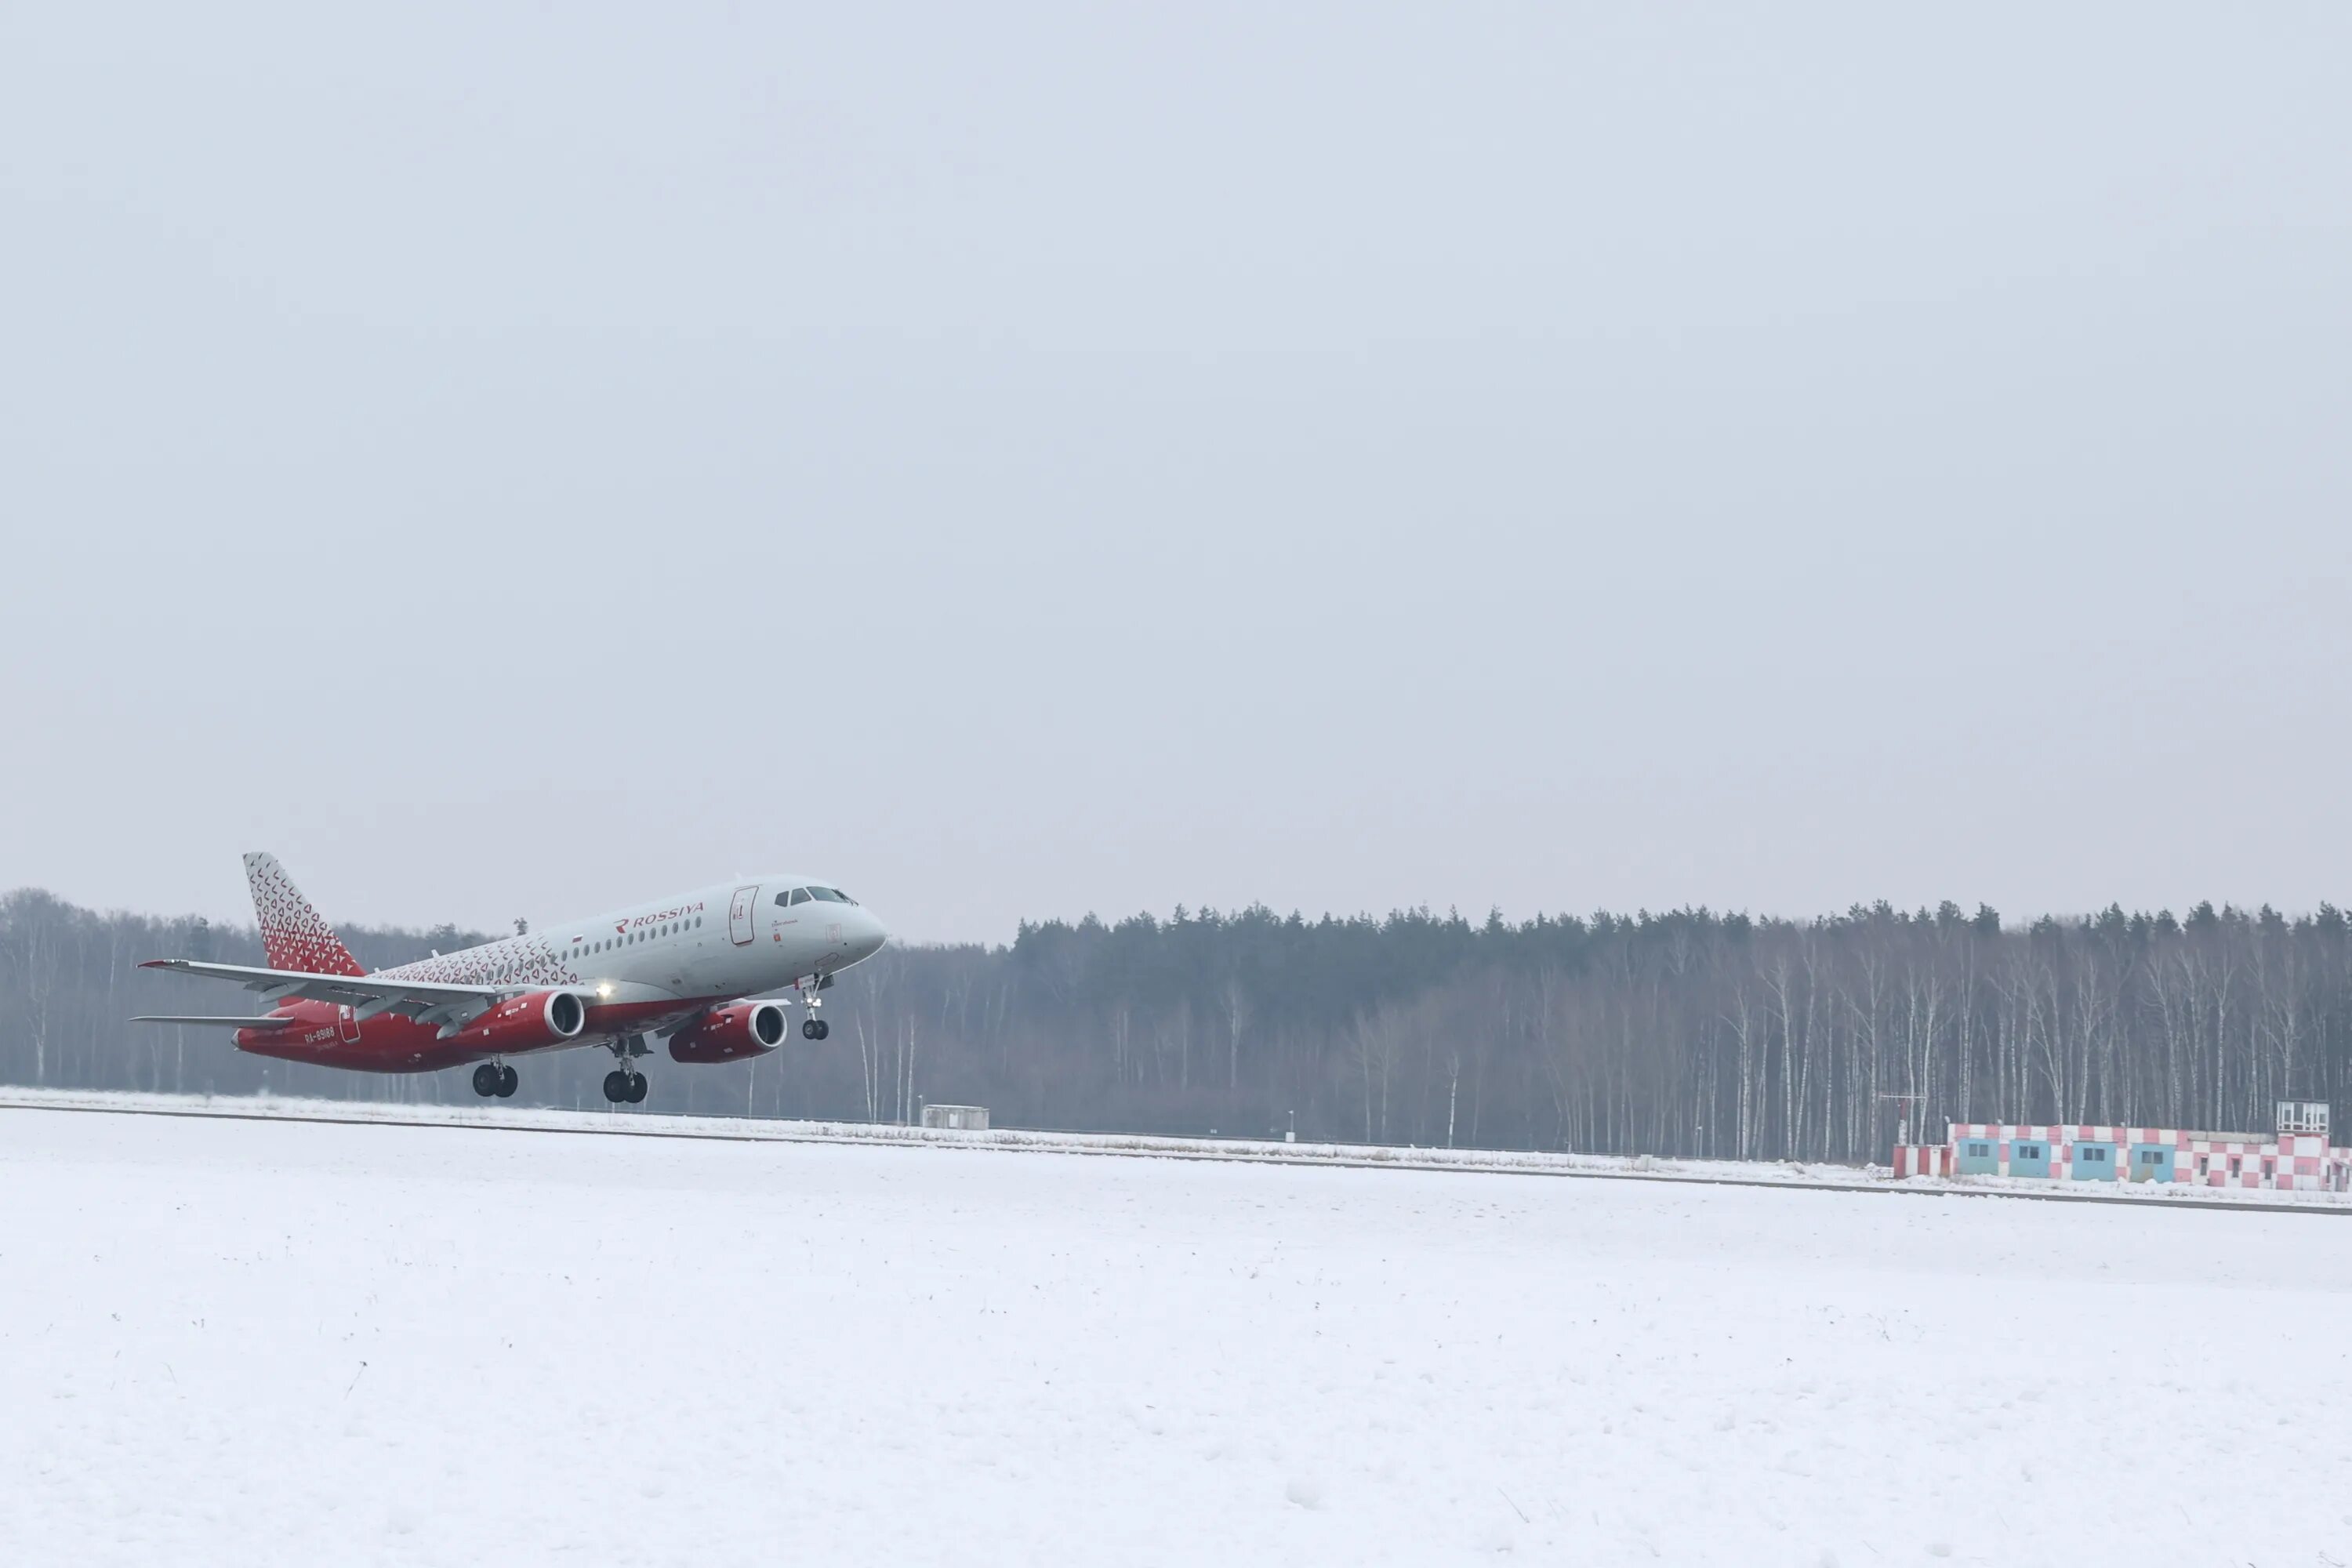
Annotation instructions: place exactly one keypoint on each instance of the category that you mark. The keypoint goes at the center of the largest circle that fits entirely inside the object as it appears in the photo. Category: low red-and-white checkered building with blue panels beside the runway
(2299, 1158)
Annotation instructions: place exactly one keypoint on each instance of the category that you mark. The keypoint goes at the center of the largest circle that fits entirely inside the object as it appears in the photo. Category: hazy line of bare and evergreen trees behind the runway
(1683, 1033)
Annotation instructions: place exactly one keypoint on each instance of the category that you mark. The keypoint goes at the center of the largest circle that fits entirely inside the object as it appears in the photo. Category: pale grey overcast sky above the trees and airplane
(1024, 460)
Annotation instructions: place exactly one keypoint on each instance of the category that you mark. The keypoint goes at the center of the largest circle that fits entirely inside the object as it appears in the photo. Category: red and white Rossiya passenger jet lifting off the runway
(686, 967)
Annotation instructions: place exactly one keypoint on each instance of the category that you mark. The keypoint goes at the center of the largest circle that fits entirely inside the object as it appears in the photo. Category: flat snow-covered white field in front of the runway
(309, 1343)
